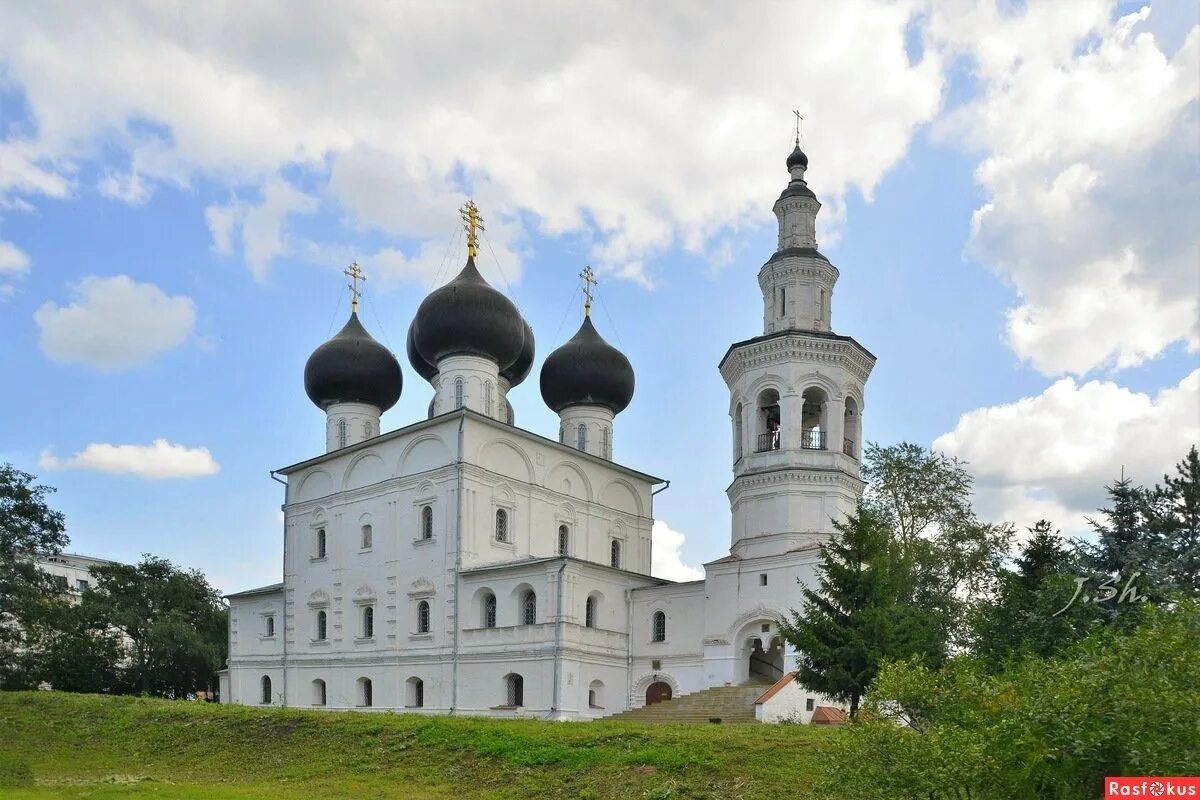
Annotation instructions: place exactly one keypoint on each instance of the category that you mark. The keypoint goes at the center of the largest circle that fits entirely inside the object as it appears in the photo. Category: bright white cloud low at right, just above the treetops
(1052, 455)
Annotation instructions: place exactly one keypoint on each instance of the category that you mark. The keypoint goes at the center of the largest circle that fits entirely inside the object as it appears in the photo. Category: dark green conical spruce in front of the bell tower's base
(842, 633)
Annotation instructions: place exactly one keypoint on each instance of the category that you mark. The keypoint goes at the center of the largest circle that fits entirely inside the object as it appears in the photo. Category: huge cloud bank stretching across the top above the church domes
(631, 125)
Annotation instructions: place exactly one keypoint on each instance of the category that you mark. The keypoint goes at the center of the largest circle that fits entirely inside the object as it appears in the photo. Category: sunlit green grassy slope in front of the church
(57, 745)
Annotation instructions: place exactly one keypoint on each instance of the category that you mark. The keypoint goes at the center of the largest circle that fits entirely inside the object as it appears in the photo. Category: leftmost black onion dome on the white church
(352, 368)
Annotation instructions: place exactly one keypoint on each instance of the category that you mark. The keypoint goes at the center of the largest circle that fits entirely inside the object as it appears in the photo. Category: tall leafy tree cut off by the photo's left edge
(28, 528)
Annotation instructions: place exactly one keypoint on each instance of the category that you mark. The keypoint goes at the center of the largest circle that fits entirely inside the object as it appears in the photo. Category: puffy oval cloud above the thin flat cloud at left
(115, 324)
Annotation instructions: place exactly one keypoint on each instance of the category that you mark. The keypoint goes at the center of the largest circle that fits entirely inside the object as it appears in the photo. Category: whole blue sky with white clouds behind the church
(178, 199)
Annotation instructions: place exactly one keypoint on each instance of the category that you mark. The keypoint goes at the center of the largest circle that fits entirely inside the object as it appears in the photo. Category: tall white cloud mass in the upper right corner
(1091, 143)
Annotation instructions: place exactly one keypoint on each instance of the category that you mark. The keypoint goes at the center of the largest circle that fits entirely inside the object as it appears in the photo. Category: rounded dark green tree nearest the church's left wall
(173, 621)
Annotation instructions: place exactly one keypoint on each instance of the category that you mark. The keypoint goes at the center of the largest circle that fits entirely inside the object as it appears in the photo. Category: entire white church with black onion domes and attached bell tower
(465, 566)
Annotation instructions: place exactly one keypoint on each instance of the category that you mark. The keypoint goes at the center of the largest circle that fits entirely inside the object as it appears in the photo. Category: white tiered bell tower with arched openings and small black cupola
(796, 394)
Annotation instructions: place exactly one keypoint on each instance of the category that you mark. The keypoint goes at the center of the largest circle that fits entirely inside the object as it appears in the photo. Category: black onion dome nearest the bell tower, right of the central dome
(587, 371)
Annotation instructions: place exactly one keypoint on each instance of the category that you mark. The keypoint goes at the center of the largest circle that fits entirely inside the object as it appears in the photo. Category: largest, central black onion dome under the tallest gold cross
(469, 317)
